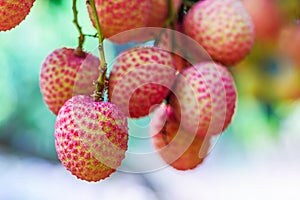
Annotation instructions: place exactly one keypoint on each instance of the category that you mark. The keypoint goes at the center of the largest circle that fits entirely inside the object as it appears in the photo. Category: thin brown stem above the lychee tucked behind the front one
(79, 51)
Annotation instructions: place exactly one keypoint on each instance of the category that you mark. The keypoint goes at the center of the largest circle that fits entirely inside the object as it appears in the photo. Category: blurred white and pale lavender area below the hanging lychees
(270, 171)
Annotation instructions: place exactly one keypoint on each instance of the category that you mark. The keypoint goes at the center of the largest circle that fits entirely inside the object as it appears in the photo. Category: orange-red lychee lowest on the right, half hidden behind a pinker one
(177, 148)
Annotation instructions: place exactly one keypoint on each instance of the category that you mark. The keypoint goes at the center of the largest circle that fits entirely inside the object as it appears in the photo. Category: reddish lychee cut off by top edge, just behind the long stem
(116, 16)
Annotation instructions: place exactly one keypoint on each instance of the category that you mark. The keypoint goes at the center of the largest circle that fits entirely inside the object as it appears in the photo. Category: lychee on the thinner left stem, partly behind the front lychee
(63, 75)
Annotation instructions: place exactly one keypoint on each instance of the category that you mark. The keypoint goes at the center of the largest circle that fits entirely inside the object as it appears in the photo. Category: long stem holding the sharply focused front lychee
(102, 82)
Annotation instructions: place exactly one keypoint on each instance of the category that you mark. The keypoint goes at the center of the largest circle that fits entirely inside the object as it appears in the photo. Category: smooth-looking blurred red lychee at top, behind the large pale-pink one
(266, 17)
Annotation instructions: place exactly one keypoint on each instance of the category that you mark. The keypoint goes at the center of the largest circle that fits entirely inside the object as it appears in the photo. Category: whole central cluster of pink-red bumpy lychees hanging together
(192, 99)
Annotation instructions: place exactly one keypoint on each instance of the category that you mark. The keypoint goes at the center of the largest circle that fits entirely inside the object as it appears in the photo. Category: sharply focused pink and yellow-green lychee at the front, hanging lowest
(90, 137)
